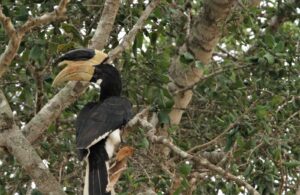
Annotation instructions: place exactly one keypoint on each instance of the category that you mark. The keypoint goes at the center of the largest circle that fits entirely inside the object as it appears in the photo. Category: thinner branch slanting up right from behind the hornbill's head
(129, 38)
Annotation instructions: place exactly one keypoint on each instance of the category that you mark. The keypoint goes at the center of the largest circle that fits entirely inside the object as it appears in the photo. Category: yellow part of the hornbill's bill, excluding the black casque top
(79, 70)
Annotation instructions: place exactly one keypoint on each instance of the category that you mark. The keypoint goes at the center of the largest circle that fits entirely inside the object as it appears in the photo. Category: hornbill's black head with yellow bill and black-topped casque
(89, 65)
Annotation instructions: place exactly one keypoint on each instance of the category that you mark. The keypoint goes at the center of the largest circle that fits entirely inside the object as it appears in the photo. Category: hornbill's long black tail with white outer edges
(96, 178)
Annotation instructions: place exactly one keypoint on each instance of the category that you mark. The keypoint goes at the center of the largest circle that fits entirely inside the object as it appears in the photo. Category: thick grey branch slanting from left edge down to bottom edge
(22, 150)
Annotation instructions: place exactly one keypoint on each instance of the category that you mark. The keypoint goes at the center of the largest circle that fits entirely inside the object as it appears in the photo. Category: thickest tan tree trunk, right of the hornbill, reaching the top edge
(204, 35)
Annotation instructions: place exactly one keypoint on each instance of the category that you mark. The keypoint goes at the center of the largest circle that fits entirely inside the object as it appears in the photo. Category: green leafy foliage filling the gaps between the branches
(261, 99)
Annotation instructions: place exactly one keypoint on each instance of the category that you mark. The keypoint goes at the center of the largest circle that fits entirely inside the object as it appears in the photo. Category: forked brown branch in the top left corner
(16, 36)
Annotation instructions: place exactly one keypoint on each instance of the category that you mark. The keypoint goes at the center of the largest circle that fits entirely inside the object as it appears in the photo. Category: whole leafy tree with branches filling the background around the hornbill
(218, 80)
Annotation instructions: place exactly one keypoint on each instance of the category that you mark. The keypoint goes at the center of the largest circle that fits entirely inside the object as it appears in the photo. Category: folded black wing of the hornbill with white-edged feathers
(97, 120)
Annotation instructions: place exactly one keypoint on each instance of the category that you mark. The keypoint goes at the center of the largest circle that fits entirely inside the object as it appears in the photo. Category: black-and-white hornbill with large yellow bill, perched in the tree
(99, 123)
